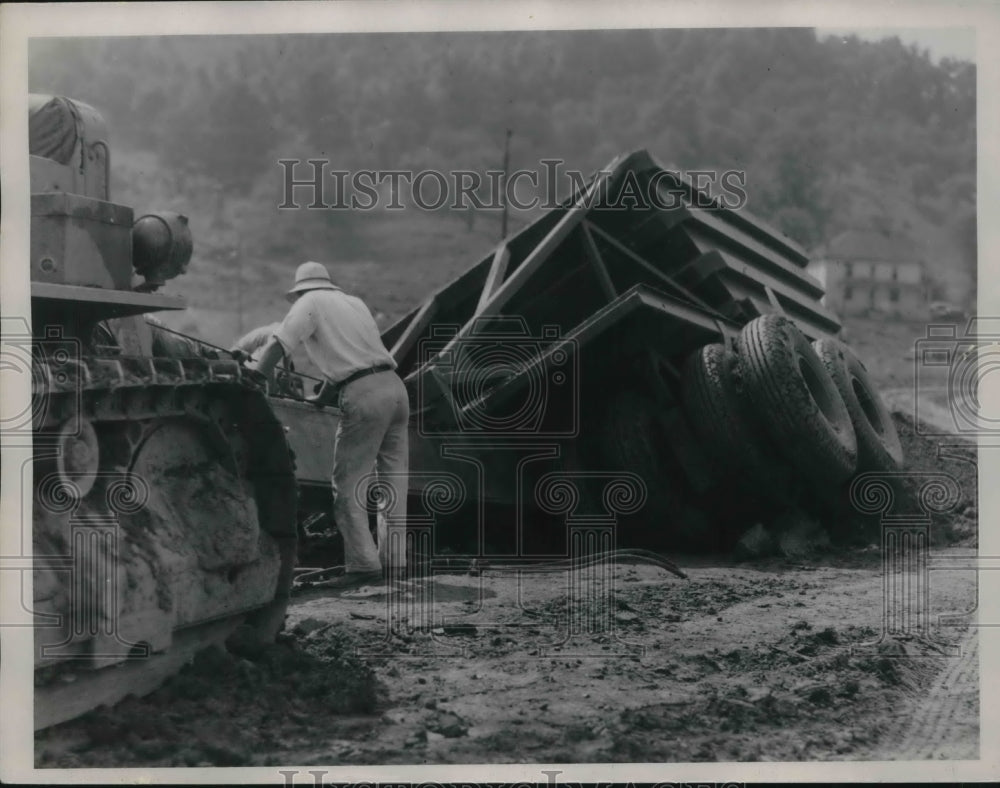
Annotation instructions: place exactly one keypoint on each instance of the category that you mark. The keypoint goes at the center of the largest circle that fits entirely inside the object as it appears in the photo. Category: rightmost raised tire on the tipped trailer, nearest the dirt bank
(879, 448)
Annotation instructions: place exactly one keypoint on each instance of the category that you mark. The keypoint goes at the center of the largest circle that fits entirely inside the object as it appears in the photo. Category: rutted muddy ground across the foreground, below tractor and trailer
(776, 658)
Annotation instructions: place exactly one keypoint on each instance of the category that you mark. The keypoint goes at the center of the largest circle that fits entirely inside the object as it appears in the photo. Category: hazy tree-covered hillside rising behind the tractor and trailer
(833, 134)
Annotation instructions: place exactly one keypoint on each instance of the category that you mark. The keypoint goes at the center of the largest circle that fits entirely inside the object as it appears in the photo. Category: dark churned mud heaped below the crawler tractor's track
(224, 709)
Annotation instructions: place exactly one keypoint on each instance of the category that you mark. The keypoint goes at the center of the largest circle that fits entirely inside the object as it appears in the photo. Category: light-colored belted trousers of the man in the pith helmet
(371, 436)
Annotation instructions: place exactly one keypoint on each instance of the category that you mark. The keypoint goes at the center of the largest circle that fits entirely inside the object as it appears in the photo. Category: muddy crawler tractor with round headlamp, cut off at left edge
(164, 493)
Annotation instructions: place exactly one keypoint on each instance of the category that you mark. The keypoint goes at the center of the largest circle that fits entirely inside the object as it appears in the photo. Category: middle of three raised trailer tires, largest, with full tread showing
(796, 401)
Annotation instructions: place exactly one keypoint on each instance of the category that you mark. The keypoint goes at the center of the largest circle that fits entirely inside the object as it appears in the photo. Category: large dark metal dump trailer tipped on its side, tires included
(646, 361)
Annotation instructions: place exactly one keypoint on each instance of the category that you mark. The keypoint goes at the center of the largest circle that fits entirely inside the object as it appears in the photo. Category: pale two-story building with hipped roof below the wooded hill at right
(865, 272)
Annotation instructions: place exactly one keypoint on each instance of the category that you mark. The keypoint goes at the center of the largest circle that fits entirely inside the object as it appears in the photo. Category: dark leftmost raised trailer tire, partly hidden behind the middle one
(719, 415)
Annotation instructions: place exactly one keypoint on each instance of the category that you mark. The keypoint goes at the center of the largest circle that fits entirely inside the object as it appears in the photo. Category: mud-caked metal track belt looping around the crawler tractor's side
(137, 390)
